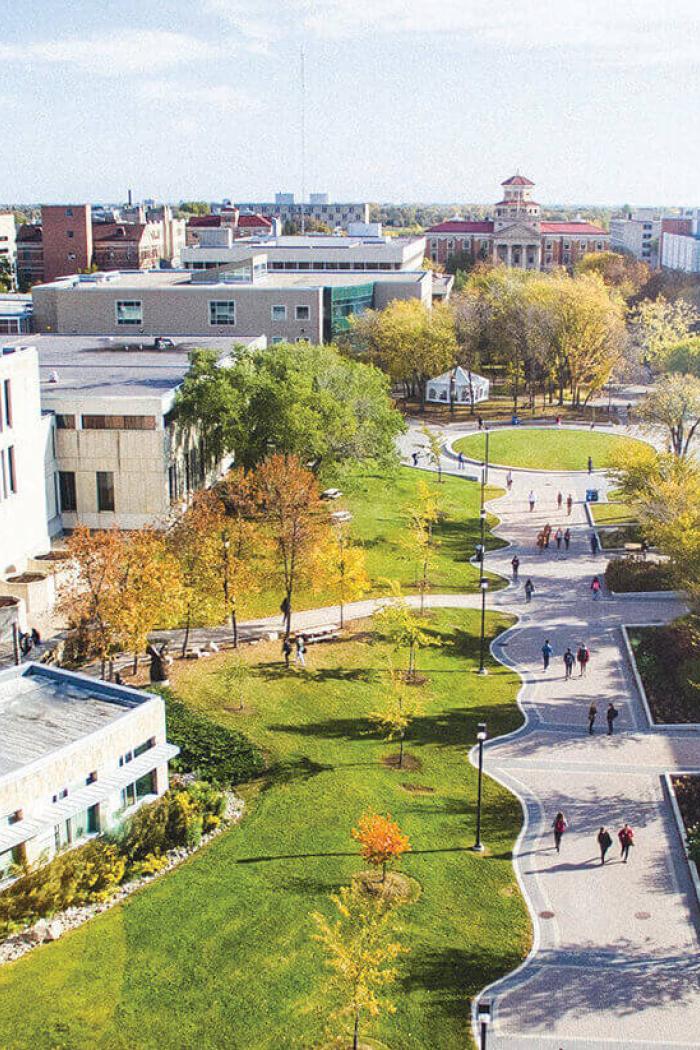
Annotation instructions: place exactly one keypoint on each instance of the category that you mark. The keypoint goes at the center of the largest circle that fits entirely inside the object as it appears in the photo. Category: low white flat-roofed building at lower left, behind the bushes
(77, 758)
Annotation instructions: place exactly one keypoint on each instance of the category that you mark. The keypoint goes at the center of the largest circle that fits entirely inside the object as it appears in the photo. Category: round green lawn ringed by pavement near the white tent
(545, 450)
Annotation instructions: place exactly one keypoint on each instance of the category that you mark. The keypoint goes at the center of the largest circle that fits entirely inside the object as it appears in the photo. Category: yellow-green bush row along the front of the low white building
(93, 873)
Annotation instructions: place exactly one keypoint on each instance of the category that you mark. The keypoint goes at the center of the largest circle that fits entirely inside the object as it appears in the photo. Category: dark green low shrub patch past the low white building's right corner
(217, 754)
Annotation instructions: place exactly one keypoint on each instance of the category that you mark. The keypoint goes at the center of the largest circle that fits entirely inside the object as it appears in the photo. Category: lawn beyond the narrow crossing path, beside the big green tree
(380, 506)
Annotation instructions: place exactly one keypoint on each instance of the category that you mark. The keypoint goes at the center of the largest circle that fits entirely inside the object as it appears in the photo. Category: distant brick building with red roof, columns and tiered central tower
(517, 237)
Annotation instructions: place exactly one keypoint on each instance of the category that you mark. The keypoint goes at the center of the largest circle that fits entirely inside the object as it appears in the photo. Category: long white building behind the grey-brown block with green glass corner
(365, 249)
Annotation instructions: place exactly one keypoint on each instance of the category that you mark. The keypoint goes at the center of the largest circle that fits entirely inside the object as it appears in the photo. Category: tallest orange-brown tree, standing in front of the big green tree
(296, 522)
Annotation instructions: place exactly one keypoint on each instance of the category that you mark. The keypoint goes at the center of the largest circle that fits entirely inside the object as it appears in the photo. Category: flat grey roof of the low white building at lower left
(44, 711)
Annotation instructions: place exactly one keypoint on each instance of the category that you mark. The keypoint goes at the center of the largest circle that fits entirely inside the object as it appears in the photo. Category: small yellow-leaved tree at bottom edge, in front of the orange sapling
(362, 952)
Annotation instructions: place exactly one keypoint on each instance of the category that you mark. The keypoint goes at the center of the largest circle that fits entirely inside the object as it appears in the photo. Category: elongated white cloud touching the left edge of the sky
(130, 52)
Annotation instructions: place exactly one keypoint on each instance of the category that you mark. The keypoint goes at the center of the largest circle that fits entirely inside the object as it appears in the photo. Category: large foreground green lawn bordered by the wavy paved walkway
(220, 953)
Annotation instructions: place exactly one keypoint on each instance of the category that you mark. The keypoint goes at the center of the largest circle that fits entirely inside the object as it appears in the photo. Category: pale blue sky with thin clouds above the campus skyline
(597, 101)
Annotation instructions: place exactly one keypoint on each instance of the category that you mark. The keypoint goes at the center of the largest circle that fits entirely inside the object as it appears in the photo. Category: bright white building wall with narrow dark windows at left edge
(23, 514)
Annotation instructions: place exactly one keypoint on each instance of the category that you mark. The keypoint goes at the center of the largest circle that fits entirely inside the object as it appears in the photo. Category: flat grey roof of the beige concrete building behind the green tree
(116, 367)
